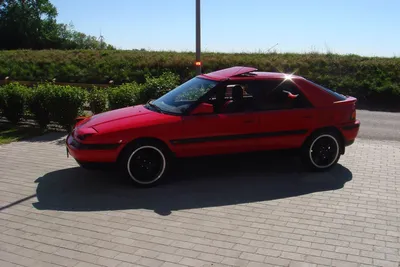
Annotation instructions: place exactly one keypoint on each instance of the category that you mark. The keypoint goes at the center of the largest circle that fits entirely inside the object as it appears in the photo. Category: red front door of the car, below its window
(218, 133)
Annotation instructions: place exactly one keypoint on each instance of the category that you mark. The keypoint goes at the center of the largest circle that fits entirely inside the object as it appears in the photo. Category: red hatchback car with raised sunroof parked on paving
(232, 110)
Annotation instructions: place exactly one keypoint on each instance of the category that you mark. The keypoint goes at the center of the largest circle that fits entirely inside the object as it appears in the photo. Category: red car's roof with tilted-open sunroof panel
(240, 71)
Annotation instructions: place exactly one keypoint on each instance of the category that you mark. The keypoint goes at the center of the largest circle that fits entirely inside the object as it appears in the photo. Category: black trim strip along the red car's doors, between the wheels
(236, 137)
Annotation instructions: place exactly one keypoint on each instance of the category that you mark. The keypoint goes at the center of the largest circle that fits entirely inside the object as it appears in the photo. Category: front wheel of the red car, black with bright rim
(146, 163)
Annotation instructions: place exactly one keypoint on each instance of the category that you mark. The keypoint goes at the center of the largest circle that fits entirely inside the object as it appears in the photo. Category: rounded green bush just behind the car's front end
(66, 104)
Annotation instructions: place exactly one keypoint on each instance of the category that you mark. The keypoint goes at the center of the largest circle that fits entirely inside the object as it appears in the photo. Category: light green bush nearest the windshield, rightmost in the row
(154, 87)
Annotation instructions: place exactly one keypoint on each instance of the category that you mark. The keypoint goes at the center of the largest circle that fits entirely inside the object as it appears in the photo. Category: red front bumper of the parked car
(107, 153)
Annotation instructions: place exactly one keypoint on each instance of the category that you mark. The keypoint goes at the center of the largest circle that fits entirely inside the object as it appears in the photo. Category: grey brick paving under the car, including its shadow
(268, 215)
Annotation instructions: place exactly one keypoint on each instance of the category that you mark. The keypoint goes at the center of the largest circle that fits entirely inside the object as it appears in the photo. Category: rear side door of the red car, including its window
(286, 116)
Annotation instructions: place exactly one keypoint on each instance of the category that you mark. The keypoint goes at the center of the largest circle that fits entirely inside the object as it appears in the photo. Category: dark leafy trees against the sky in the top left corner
(31, 24)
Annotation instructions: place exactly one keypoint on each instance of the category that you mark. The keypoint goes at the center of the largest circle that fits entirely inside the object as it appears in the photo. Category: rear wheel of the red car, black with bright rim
(321, 151)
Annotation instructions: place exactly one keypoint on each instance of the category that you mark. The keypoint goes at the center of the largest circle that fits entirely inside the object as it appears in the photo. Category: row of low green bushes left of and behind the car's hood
(48, 102)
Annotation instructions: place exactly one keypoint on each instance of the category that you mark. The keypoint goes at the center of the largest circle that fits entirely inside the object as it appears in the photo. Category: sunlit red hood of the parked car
(115, 115)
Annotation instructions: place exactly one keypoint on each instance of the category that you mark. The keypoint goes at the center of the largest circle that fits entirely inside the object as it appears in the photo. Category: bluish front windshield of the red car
(179, 99)
